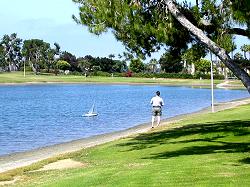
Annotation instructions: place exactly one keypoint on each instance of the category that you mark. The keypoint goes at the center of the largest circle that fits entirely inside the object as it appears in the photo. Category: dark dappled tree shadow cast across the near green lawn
(210, 139)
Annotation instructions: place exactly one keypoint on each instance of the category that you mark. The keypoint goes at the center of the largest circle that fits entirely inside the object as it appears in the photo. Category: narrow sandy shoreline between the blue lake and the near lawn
(12, 161)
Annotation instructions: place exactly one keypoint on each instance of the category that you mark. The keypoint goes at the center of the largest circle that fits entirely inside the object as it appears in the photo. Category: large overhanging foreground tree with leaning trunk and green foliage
(146, 25)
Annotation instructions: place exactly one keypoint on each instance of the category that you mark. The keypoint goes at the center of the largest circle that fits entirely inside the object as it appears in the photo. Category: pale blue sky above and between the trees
(51, 21)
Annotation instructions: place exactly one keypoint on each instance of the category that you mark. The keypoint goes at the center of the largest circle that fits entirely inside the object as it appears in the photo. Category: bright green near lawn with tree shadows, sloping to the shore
(201, 150)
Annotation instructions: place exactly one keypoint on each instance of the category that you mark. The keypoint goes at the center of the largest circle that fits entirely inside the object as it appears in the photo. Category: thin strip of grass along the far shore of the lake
(17, 77)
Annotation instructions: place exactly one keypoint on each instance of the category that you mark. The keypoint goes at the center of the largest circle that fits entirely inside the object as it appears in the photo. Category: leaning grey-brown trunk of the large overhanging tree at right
(220, 52)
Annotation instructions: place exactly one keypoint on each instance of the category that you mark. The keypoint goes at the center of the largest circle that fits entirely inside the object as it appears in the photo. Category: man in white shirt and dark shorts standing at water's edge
(157, 103)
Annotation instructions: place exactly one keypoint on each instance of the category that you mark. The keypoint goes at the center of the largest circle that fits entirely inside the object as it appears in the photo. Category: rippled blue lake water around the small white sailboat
(33, 116)
